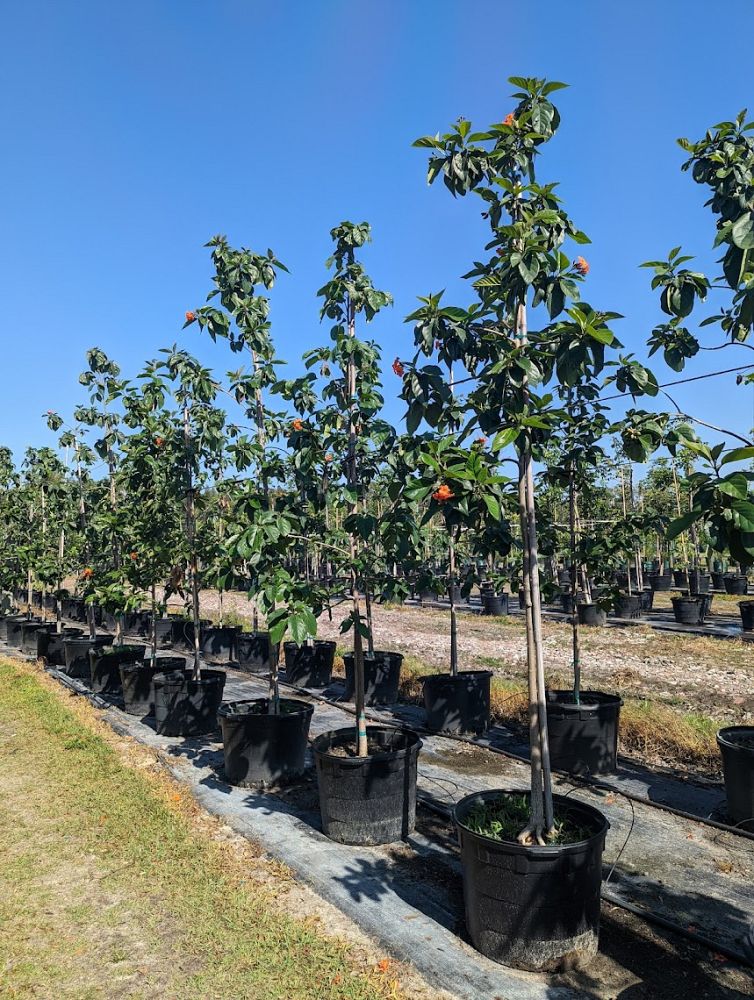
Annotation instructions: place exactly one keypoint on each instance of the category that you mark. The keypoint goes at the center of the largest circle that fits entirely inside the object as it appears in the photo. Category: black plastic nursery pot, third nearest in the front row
(261, 748)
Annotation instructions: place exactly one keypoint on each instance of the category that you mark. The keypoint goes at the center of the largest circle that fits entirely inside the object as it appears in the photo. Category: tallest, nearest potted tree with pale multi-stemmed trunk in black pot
(510, 841)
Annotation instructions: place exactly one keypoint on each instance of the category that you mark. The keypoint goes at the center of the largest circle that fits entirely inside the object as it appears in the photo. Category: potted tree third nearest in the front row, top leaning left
(264, 739)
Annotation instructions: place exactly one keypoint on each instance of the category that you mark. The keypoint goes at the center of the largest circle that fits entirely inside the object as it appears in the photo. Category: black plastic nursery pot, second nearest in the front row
(367, 800)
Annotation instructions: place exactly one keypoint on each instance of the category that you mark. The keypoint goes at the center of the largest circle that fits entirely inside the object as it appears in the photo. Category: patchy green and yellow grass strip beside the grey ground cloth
(109, 886)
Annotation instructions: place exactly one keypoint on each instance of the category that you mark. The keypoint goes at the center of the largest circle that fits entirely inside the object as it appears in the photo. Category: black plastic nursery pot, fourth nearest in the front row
(184, 706)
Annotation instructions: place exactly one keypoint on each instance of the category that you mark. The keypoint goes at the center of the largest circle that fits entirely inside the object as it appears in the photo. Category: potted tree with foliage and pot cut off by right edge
(723, 161)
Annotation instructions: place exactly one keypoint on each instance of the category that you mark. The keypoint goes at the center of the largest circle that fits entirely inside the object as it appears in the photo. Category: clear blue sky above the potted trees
(133, 131)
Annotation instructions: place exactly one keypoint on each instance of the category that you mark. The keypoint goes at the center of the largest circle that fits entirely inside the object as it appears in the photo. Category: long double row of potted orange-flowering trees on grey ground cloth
(189, 496)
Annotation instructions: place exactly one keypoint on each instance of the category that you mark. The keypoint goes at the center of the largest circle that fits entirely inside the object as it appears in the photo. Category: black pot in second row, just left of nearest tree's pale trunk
(458, 704)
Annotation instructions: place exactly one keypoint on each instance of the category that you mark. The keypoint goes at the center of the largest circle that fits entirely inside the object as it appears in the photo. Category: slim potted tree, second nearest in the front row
(367, 776)
